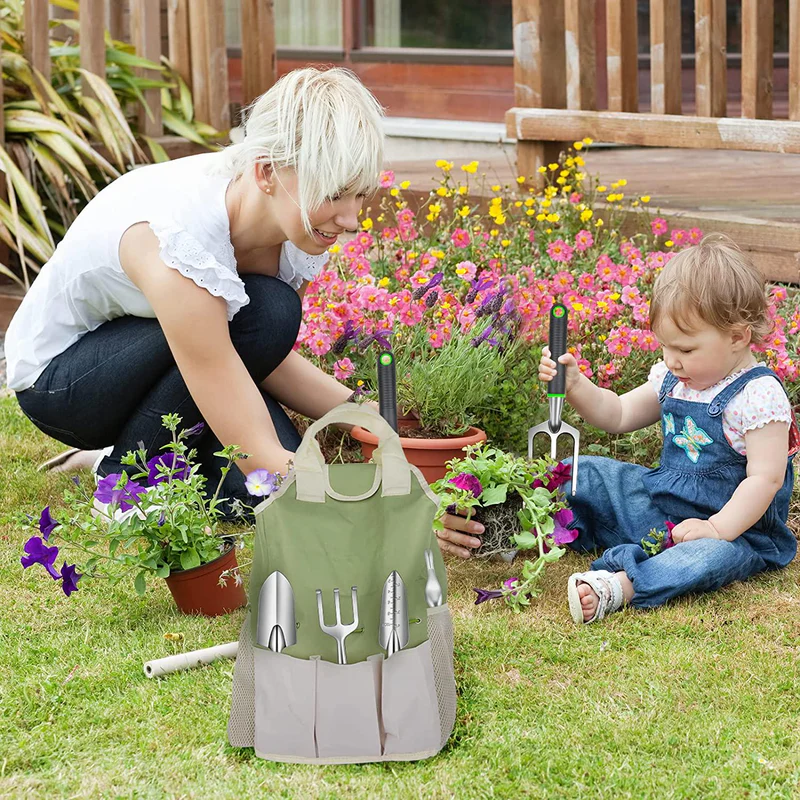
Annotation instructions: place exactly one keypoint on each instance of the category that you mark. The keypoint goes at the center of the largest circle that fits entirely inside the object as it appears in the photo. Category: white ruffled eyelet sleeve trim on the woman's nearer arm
(215, 272)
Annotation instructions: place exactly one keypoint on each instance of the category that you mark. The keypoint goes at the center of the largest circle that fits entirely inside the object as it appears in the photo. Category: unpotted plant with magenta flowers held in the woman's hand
(521, 507)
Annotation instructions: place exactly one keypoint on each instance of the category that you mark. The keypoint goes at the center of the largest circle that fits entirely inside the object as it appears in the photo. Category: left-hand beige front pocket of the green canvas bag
(285, 689)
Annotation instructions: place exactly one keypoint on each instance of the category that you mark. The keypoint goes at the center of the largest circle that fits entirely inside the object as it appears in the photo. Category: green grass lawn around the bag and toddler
(700, 699)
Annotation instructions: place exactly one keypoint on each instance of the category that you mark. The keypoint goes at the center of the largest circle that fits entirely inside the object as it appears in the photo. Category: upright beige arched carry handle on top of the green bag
(393, 470)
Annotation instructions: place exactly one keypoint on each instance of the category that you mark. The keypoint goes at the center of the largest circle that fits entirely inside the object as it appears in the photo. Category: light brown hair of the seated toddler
(713, 281)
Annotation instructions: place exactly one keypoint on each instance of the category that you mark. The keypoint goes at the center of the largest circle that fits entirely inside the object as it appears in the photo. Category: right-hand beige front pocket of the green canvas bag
(409, 703)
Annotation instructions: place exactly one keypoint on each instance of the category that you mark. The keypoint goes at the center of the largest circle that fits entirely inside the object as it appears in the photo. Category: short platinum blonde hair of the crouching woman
(324, 124)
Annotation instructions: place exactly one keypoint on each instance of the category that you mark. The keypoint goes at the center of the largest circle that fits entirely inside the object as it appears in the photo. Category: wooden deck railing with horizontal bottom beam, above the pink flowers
(554, 74)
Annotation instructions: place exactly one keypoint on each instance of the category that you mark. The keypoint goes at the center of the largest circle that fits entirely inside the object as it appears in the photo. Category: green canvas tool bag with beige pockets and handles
(338, 526)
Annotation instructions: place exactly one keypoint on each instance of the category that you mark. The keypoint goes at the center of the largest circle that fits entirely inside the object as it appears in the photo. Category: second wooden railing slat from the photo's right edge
(757, 33)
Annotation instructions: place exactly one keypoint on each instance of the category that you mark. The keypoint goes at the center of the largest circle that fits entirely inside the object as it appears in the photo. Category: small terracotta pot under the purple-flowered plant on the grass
(197, 590)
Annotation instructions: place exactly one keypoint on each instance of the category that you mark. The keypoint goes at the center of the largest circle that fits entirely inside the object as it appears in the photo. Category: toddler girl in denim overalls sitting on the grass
(725, 475)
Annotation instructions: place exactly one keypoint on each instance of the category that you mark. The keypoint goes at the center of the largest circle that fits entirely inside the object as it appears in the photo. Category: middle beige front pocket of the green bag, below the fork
(347, 701)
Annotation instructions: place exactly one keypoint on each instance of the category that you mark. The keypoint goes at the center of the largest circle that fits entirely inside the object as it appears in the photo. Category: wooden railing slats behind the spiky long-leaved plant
(196, 36)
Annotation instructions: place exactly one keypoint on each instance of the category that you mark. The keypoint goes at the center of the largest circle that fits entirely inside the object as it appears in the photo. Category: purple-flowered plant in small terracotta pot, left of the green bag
(156, 521)
